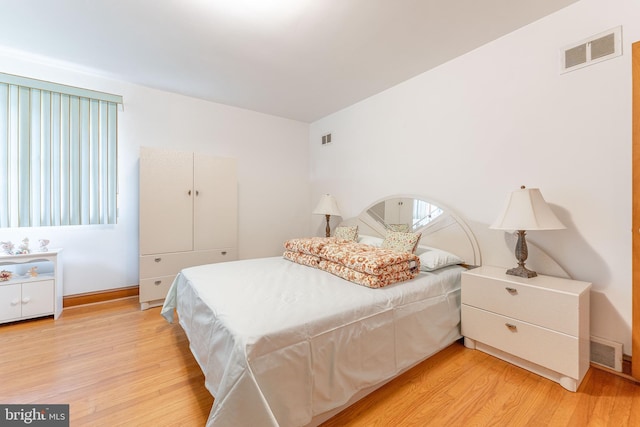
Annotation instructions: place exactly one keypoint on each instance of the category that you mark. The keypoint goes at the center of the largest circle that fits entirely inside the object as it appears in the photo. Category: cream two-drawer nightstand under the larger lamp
(540, 324)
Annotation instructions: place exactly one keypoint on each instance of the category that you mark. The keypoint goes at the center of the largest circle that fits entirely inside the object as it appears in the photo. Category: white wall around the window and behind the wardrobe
(273, 184)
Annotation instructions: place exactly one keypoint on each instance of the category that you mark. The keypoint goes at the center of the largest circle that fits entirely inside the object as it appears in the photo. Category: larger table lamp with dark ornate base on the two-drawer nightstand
(525, 209)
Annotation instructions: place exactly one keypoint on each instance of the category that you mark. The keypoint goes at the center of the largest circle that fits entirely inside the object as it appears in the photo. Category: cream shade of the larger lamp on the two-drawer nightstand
(526, 209)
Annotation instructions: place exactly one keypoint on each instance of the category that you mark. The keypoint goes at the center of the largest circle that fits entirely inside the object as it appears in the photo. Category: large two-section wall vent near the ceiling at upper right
(595, 49)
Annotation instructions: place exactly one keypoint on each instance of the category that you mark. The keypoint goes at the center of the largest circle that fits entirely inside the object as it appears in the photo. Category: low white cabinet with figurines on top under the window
(25, 296)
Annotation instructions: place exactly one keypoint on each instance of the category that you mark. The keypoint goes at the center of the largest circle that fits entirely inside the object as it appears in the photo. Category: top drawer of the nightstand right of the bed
(541, 306)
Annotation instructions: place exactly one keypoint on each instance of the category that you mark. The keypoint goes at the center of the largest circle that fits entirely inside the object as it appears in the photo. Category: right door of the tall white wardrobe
(216, 203)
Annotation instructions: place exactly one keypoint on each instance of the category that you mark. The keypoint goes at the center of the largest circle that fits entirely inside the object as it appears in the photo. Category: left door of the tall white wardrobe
(166, 201)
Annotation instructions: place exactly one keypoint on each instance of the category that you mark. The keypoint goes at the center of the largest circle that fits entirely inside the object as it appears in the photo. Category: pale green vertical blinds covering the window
(58, 154)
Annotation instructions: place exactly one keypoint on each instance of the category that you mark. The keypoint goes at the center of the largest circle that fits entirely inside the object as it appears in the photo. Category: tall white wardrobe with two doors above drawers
(188, 216)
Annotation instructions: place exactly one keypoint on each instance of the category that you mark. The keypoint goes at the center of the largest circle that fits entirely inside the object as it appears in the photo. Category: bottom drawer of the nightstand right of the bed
(553, 350)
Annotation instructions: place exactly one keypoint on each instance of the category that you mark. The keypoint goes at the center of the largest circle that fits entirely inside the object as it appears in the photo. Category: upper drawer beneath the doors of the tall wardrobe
(171, 263)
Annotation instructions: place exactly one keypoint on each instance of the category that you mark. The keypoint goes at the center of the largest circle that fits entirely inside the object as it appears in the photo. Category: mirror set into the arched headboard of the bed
(404, 214)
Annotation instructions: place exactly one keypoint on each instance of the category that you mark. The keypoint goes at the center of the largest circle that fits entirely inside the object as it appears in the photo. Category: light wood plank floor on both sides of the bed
(118, 366)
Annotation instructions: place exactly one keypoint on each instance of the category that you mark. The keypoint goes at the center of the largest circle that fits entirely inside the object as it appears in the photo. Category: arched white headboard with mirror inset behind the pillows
(440, 227)
